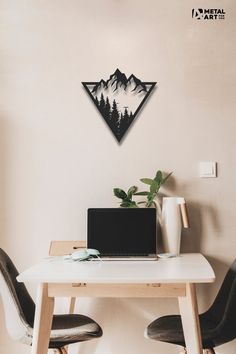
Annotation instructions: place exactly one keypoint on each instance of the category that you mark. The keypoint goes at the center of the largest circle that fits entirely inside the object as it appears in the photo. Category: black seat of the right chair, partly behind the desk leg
(169, 329)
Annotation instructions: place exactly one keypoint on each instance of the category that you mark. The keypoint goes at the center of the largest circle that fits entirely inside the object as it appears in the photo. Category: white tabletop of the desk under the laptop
(189, 267)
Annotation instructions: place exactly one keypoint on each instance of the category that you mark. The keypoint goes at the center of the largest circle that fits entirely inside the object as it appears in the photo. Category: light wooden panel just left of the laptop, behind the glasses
(60, 248)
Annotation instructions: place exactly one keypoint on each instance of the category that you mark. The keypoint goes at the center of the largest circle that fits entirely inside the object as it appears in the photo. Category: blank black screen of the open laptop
(122, 231)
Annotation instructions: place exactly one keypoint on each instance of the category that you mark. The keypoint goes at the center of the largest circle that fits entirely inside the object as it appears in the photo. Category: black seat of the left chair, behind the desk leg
(68, 329)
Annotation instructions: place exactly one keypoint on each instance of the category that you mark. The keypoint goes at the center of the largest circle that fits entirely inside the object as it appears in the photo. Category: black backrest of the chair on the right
(223, 309)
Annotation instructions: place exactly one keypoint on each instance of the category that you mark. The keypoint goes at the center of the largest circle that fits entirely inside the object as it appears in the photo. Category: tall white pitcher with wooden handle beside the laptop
(171, 225)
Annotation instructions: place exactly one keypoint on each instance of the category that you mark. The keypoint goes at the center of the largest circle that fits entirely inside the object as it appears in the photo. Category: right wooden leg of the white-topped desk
(190, 320)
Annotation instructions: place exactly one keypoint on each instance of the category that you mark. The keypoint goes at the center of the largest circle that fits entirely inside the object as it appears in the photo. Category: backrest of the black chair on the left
(19, 308)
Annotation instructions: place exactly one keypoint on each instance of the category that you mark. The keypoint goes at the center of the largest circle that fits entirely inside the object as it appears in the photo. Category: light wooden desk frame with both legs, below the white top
(185, 293)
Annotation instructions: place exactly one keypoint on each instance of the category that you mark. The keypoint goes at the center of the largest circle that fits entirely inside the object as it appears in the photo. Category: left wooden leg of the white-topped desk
(42, 321)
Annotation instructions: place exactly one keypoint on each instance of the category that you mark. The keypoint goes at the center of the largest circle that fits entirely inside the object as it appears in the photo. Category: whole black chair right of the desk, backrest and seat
(218, 323)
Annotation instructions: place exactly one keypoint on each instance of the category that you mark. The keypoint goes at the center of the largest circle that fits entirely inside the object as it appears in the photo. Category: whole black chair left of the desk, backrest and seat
(19, 311)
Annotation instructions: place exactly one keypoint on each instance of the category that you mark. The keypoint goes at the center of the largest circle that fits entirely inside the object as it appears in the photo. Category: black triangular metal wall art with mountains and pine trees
(119, 100)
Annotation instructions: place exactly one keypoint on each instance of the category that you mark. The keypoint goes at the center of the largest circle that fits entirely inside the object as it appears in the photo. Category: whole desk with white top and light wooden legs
(173, 277)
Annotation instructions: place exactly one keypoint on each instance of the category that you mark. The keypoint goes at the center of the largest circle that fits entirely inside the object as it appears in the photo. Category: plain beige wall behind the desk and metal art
(57, 156)
